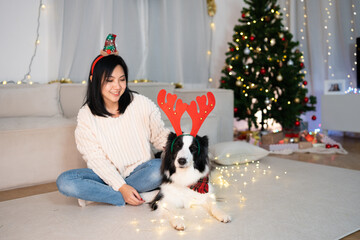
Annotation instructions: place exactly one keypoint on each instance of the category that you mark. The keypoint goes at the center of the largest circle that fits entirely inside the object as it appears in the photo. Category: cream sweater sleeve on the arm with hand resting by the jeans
(93, 153)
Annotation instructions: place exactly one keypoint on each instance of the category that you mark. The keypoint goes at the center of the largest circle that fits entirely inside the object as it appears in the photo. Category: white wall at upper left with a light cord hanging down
(18, 24)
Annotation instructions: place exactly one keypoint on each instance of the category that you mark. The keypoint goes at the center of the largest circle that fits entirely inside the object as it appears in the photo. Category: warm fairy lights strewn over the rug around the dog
(233, 181)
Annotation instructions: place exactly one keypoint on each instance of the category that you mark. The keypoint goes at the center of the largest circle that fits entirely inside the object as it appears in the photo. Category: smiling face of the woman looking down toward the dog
(113, 87)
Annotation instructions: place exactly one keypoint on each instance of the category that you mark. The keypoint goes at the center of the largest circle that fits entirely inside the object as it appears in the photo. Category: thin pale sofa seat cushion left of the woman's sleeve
(34, 123)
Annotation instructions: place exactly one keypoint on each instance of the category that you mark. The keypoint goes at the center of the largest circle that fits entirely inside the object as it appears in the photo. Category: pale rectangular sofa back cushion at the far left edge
(38, 100)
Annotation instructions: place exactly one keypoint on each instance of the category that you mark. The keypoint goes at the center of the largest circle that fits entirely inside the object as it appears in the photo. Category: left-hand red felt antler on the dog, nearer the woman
(168, 108)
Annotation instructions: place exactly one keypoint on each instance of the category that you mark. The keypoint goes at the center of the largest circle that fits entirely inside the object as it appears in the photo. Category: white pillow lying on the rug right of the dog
(237, 152)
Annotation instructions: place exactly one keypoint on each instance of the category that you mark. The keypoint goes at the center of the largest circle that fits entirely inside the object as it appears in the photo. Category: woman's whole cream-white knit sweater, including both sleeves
(114, 147)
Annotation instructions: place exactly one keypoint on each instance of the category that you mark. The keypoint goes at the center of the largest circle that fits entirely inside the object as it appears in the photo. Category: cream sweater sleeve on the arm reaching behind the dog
(158, 132)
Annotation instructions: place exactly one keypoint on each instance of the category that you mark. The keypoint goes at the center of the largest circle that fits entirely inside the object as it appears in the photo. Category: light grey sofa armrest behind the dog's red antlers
(224, 108)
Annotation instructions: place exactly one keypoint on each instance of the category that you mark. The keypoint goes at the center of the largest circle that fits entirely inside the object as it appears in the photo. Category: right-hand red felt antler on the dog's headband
(199, 117)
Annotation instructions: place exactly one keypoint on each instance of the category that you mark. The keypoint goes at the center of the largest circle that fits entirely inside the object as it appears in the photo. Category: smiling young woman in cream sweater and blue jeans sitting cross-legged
(114, 133)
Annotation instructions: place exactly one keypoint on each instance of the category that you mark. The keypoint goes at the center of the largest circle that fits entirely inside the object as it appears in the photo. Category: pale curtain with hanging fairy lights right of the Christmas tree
(327, 36)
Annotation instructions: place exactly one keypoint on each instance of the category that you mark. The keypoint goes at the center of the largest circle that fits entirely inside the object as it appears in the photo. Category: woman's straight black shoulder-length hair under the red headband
(102, 70)
